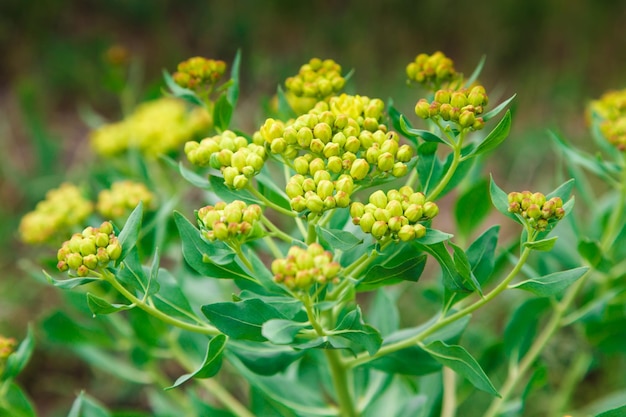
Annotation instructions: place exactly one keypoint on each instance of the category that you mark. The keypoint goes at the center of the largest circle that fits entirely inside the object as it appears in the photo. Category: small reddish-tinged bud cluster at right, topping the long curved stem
(535, 209)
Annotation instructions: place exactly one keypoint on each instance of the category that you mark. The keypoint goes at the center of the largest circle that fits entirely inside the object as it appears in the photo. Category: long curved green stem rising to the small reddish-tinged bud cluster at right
(444, 321)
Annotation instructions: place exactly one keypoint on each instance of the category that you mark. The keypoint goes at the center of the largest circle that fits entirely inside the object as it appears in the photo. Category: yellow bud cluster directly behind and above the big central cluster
(317, 79)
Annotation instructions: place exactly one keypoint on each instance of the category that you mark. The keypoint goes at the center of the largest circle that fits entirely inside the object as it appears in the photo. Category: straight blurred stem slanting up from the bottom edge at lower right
(537, 347)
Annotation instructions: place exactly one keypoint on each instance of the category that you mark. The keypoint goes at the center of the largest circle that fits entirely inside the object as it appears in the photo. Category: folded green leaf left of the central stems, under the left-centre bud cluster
(196, 250)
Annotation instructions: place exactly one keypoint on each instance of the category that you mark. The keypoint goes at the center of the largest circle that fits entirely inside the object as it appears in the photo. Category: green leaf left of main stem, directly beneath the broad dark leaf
(264, 359)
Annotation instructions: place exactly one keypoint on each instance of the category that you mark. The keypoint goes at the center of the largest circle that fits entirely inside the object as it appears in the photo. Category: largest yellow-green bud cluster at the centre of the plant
(335, 144)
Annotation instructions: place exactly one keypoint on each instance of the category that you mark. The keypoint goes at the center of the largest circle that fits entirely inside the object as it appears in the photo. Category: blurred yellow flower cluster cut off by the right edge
(611, 109)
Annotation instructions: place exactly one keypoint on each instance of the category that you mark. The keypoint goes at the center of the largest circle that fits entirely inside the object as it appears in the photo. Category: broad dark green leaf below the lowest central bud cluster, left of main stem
(242, 319)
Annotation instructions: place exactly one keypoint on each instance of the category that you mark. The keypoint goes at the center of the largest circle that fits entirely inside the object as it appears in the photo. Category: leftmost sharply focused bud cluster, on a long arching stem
(87, 251)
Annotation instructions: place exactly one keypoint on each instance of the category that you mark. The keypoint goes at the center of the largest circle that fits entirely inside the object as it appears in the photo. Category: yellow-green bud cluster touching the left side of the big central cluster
(237, 159)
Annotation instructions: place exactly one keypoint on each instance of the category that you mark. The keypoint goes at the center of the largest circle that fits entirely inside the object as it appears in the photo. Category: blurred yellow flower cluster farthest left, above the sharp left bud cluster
(63, 208)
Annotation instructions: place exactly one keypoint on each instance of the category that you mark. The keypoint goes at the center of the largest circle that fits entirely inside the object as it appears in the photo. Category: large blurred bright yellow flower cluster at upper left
(154, 128)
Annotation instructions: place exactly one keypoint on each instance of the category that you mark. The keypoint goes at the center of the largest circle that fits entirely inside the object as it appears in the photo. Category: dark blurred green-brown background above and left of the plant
(555, 54)
